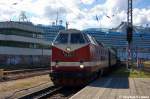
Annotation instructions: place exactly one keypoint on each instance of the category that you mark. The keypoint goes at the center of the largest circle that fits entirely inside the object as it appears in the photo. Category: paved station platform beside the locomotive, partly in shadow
(116, 88)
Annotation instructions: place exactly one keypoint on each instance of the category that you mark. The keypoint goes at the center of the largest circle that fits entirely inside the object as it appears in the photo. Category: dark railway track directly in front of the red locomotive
(51, 92)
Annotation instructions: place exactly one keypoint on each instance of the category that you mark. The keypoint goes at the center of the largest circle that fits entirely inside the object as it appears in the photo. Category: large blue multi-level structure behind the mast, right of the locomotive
(116, 38)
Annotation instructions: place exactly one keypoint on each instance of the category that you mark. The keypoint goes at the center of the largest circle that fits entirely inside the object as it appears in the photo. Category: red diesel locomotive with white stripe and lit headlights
(77, 58)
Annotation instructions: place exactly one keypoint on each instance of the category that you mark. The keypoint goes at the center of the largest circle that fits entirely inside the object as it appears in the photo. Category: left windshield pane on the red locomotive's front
(62, 39)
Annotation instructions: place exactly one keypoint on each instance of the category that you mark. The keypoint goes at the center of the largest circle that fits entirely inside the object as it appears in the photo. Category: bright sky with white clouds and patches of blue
(80, 14)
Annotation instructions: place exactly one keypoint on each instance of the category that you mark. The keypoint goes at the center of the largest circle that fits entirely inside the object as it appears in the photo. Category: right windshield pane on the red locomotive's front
(77, 38)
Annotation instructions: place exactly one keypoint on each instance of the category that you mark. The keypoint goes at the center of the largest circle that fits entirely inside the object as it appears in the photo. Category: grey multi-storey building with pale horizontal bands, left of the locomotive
(21, 44)
